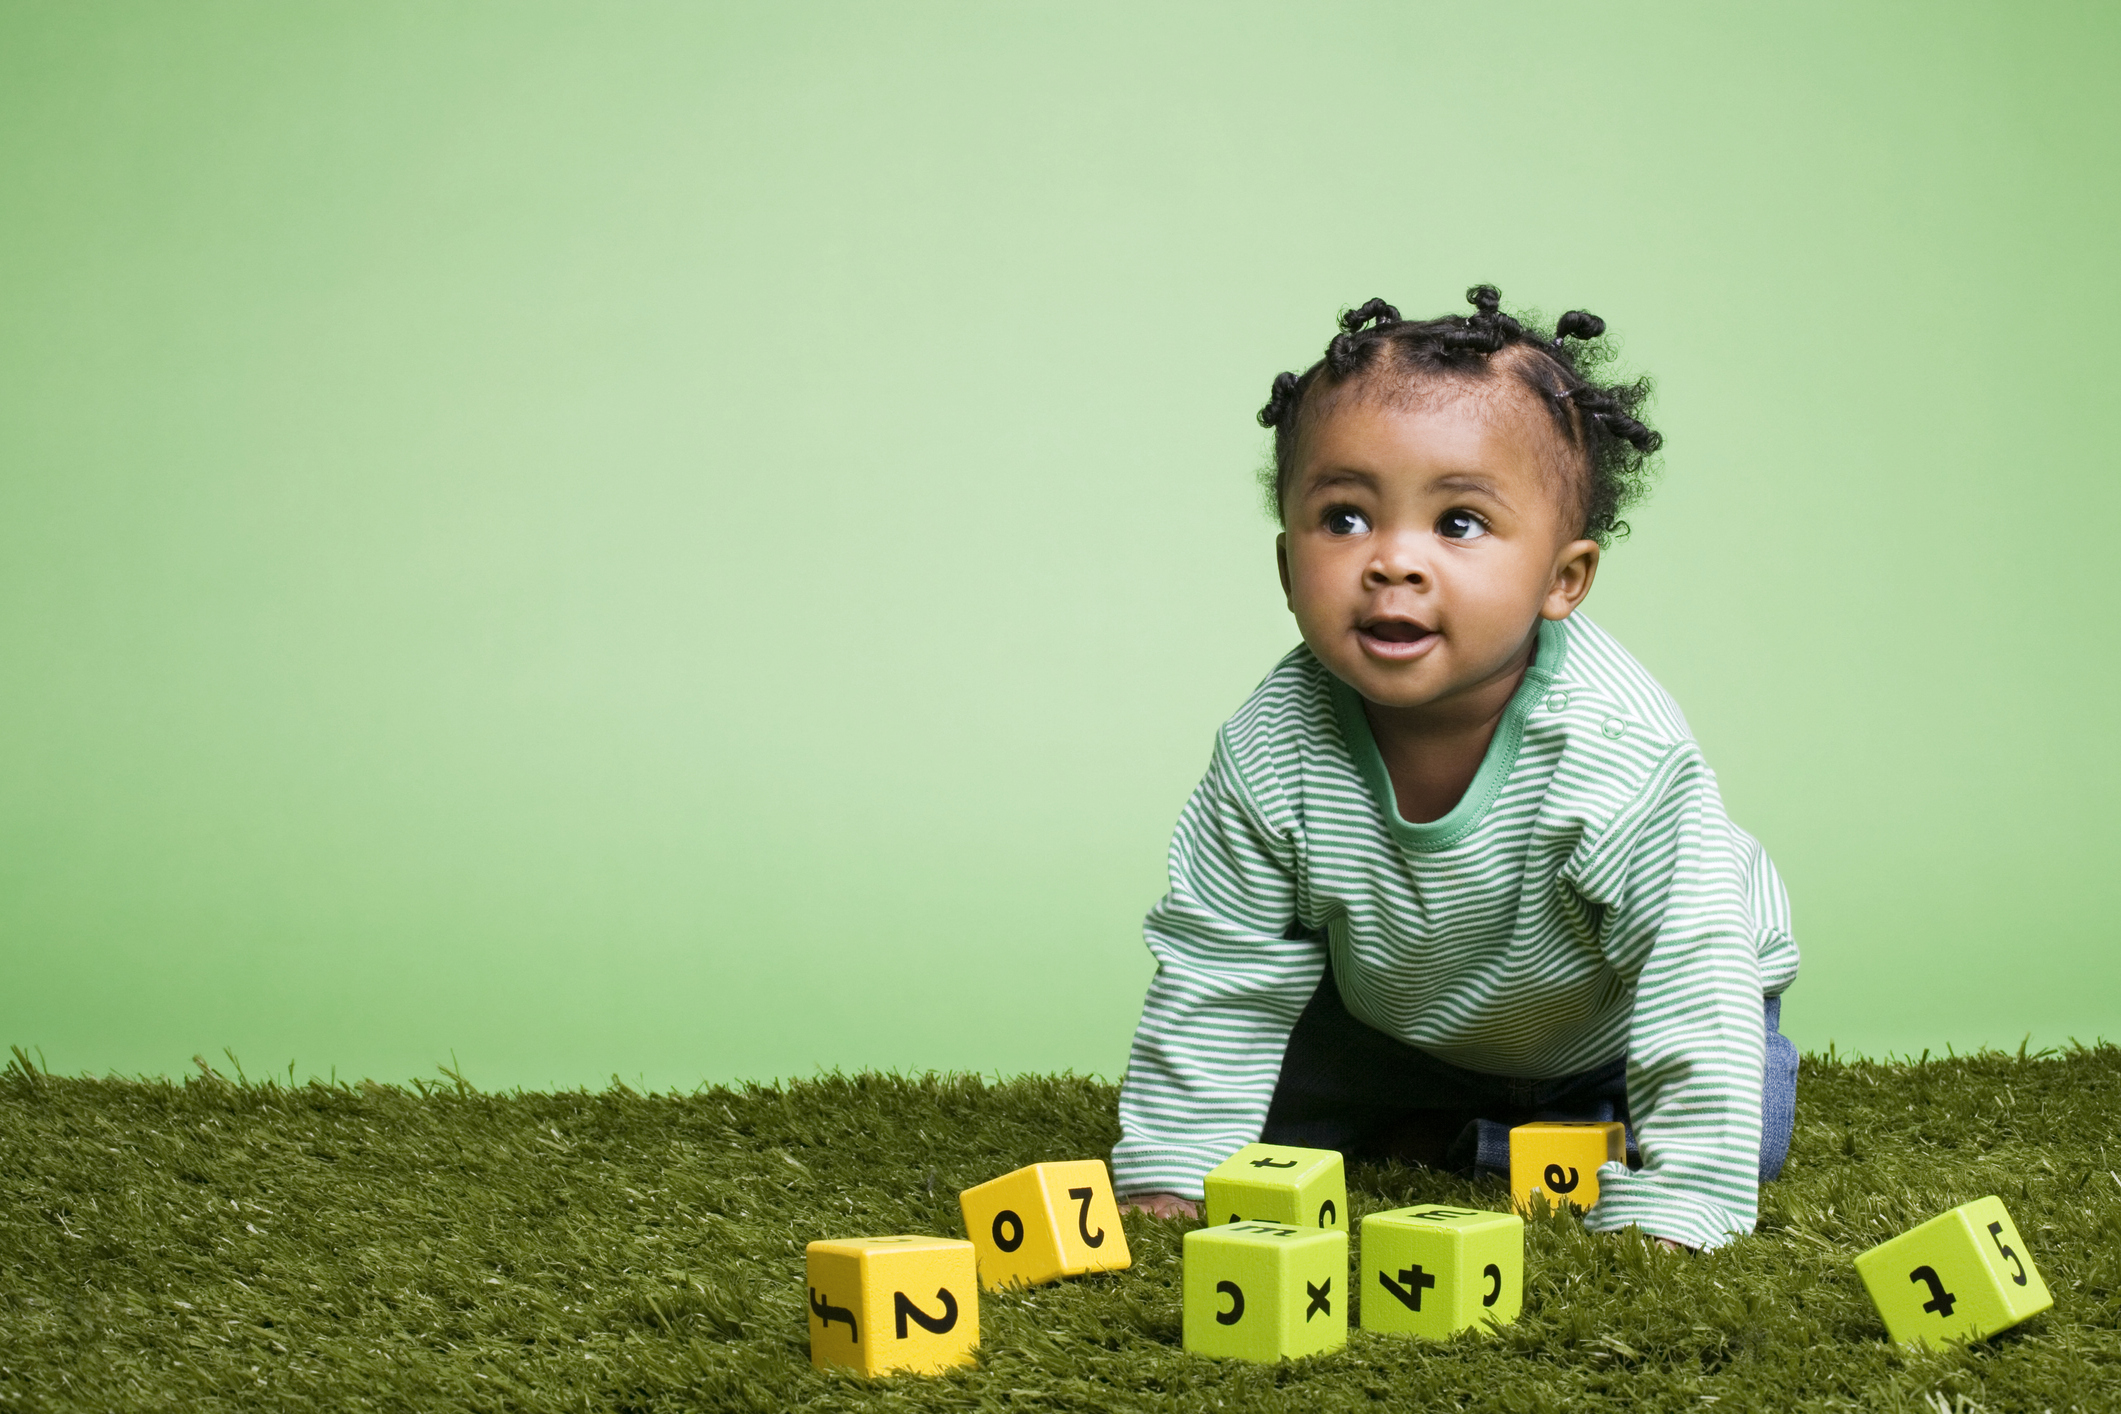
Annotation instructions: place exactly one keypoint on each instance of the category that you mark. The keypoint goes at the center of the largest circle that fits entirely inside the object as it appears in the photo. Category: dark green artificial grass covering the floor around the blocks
(220, 1245)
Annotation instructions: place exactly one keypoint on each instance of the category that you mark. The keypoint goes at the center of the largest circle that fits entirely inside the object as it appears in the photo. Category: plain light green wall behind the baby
(712, 542)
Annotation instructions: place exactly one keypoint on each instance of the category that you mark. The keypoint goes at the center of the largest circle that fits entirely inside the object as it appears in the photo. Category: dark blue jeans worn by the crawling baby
(1350, 1086)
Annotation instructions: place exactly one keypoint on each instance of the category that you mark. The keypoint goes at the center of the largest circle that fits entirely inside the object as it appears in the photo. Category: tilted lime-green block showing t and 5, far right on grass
(1961, 1277)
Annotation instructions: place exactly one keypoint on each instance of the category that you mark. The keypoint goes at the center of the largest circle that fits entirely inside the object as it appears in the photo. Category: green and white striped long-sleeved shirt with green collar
(1585, 900)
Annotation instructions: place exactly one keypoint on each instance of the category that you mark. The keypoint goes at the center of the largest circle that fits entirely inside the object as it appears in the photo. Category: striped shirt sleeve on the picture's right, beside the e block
(1683, 896)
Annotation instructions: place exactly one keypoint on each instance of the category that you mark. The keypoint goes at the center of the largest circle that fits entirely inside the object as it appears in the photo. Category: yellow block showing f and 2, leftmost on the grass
(881, 1305)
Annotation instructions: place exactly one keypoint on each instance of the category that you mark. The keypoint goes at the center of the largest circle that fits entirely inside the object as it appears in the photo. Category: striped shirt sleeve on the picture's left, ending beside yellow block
(1227, 993)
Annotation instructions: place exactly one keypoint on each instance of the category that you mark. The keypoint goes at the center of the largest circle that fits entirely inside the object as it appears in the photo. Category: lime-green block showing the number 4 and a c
(1435, 1271)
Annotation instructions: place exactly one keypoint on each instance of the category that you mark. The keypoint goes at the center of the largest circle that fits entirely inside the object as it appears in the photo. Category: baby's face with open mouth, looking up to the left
(1424, 546)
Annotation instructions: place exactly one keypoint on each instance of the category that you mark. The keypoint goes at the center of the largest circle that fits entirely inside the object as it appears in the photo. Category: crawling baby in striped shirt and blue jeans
(1458, 862)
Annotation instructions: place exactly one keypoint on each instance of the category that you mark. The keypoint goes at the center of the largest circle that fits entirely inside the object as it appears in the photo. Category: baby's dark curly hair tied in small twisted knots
(1560, 366)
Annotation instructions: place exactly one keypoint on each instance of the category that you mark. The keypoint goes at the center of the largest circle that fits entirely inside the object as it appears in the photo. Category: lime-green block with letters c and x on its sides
(1265, 1292)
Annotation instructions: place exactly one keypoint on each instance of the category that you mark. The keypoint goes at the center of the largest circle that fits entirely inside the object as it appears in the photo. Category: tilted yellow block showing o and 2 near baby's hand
(1045, 1222)
